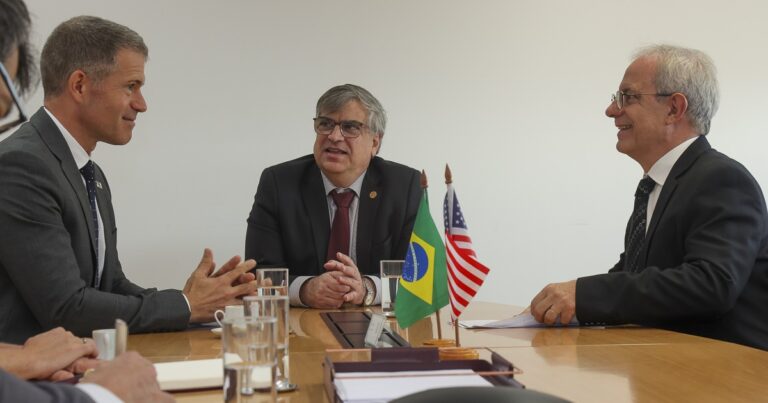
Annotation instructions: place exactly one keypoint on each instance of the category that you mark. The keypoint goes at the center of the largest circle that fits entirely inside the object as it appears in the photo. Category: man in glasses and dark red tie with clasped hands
(294, 214)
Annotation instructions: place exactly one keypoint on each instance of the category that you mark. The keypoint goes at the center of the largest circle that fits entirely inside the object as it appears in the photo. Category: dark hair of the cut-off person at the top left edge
(14, 33)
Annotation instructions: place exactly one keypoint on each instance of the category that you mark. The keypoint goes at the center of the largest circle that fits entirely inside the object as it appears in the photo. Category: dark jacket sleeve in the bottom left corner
(13, 389)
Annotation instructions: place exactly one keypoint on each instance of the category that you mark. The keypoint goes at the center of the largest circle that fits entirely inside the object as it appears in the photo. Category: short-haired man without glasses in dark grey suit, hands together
(58, 248)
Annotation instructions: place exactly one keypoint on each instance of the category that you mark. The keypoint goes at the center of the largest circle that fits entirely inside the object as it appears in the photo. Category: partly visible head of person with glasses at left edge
(16, 62)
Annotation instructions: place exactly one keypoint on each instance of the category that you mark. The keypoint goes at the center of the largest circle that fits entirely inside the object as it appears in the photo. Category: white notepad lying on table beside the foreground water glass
(193, 374)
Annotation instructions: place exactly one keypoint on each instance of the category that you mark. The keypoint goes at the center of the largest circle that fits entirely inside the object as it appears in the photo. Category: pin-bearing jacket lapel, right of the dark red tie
(370, 194)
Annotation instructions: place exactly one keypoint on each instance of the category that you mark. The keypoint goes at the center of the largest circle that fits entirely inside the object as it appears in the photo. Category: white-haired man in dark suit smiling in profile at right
(696, 247)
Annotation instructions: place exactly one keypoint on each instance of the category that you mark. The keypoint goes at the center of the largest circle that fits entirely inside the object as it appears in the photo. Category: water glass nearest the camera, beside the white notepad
(249, 354)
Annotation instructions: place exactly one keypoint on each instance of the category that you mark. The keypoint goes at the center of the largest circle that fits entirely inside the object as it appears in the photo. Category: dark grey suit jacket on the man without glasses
(47, 244)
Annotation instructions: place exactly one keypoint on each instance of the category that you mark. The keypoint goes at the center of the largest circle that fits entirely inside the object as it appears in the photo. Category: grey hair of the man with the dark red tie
(338, 96)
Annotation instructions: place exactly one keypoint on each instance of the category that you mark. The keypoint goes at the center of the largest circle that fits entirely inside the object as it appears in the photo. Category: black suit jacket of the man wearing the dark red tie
(289, 225)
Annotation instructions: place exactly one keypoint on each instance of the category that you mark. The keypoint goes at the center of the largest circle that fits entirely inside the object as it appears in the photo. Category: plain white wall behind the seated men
(510, 93)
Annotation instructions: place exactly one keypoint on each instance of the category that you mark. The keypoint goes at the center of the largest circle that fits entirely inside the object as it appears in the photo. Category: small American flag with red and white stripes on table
(465, 273)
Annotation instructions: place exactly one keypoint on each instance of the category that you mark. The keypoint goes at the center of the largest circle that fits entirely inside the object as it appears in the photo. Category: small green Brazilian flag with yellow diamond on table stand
(424, 286)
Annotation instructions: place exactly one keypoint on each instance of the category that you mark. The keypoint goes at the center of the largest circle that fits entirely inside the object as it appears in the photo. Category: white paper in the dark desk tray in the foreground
(372, 387)
